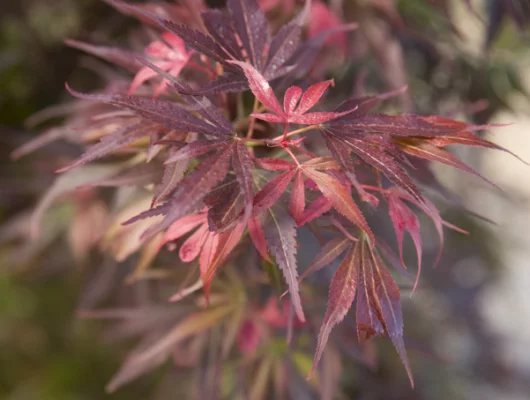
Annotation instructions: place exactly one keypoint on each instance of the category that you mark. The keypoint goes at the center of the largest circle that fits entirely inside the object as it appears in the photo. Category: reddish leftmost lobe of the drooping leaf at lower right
(341, 294)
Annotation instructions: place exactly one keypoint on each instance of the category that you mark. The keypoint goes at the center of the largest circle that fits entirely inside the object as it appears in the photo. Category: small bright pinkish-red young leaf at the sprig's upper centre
(296, 103)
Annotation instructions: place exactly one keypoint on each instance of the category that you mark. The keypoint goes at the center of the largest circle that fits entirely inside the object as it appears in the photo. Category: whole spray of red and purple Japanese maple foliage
(226, 184)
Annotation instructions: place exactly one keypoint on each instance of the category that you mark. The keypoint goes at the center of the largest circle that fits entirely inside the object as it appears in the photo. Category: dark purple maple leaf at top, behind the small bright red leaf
(240, 34)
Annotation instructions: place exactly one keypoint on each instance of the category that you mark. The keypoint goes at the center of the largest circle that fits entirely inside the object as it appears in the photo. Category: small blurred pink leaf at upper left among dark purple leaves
(169, 55)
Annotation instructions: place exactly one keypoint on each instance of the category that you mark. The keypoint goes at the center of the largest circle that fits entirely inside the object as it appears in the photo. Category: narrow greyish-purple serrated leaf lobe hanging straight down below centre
(280, 232)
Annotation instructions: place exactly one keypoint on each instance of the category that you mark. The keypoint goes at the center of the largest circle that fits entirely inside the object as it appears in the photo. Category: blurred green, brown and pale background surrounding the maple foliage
(468, 324)
